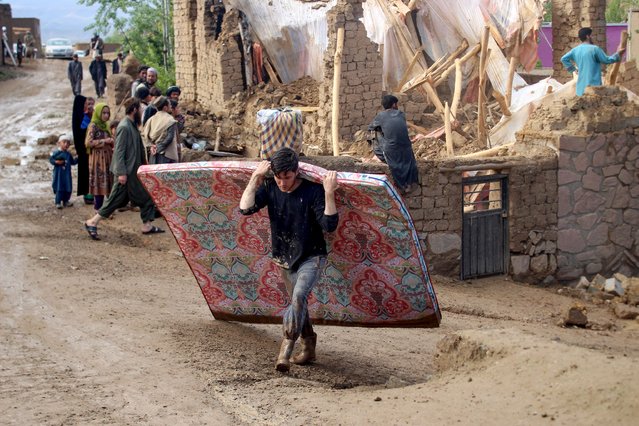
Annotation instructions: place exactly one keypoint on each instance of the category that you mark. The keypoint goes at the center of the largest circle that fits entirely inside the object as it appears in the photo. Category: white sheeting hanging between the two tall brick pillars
(294, 35)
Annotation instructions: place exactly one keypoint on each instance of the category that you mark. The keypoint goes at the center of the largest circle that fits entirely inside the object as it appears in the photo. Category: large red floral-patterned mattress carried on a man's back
(376, 274)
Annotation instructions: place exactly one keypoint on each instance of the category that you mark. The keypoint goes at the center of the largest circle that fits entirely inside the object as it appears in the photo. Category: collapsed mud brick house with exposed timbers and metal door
(517, 177)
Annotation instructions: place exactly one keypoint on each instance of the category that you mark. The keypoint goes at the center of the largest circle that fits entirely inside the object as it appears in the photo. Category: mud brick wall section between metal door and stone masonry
(532, 191)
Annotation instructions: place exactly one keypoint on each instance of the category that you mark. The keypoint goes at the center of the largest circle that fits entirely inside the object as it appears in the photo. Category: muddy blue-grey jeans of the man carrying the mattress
(299, 285)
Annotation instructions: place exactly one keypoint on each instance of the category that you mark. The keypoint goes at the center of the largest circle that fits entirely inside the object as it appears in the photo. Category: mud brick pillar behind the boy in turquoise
(567, 17)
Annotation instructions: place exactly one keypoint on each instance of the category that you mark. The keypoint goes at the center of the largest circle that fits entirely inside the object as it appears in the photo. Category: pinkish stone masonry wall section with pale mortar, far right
(598, 205)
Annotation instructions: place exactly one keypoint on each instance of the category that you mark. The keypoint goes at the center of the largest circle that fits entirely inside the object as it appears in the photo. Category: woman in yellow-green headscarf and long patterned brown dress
(100, 143)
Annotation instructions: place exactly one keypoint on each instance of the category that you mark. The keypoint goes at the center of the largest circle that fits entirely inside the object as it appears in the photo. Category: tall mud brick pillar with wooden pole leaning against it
(361, 78)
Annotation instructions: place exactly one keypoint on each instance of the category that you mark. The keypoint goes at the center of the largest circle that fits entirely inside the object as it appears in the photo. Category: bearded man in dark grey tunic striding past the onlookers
(128, 156)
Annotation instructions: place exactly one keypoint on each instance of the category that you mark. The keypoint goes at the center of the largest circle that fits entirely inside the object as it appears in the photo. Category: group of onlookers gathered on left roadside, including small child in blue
(110, 152)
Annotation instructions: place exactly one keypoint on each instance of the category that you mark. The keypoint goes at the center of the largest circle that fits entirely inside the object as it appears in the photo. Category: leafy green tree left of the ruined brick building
(144, 28)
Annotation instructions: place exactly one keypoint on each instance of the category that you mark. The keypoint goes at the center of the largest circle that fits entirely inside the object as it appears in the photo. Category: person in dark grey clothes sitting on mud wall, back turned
(393, 145)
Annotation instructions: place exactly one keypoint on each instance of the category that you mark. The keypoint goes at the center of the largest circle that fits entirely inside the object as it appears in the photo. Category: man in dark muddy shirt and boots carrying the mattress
(299, 210)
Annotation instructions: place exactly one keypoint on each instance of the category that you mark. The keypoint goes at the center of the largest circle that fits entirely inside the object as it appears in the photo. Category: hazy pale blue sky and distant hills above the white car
(58, 18)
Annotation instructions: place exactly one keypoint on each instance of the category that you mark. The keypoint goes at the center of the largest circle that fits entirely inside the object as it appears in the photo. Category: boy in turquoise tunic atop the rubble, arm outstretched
(588, 59)
